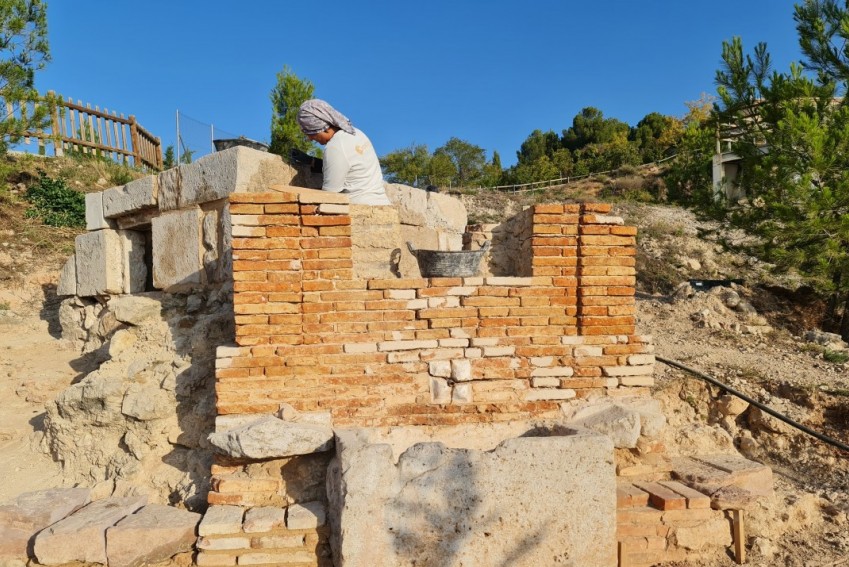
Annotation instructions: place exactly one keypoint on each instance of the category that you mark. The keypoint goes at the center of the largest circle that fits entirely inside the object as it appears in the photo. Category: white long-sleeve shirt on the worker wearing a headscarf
(351, 167)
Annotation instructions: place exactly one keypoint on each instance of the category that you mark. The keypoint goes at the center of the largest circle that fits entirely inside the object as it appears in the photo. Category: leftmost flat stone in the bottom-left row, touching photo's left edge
(36, 510)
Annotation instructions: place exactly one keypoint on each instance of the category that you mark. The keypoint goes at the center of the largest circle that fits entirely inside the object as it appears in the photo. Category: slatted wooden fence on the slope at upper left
(78, 128)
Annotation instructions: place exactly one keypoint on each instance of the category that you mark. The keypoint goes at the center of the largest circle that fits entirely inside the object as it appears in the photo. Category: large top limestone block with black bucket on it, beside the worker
(215, 176)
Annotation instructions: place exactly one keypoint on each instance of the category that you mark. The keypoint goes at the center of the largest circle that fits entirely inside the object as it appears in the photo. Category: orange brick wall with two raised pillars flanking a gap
(433, 351)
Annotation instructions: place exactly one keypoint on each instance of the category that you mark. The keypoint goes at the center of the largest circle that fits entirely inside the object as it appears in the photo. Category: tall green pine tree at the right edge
(792, 134)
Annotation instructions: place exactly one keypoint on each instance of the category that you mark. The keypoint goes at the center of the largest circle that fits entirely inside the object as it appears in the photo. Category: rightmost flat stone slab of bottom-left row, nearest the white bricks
(154, 533)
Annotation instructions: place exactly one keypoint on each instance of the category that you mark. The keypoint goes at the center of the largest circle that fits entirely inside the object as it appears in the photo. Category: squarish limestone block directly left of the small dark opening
(110, 262)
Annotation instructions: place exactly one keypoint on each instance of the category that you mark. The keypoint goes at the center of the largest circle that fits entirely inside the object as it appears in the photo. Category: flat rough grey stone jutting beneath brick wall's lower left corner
(269, 438)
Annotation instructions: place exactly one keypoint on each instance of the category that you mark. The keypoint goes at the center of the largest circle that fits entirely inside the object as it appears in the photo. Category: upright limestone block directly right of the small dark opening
(178, 249)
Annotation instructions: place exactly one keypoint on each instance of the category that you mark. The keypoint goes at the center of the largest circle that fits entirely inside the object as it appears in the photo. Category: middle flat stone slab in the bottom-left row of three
(81, 536)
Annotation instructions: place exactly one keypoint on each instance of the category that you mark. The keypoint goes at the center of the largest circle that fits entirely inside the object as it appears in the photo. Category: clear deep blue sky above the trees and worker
(404, 72)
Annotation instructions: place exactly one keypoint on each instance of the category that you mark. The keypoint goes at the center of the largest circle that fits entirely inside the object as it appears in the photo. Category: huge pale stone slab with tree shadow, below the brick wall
(533, 500)
